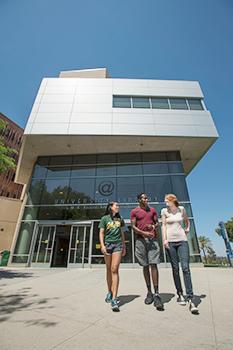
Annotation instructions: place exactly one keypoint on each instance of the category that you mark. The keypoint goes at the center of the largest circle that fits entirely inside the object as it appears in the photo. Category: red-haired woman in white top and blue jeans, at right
(175, 241)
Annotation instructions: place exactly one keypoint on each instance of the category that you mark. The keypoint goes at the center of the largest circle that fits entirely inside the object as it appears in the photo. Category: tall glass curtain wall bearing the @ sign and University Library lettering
(78, 188)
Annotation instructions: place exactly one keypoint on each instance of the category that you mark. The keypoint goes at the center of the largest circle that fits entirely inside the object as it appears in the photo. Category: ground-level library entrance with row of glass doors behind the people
(76, 244)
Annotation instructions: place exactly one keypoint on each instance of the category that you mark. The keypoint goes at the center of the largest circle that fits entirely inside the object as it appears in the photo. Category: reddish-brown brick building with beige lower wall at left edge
(10, 191)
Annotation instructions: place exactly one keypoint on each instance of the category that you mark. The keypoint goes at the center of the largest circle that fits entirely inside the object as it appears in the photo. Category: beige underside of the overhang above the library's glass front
(191, 149)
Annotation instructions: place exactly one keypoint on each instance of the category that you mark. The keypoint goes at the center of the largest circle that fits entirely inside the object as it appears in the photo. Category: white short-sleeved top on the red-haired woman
(175, 231)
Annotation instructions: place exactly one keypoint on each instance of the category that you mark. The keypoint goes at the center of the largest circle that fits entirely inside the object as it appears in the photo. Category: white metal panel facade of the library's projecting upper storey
(79, 106)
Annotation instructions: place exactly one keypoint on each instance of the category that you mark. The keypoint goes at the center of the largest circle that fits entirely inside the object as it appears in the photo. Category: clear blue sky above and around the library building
(149, 39)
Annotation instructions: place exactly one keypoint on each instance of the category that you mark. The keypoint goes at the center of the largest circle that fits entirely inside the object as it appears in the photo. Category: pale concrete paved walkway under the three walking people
(65, 309)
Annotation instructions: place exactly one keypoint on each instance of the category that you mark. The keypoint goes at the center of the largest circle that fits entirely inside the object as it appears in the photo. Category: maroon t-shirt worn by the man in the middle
(143, 217)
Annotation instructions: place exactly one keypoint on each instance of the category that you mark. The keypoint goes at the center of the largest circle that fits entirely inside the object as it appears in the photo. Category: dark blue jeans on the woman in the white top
(179, 251)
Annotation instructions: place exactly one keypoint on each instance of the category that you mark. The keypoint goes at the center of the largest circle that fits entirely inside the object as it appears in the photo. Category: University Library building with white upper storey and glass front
(91, 139)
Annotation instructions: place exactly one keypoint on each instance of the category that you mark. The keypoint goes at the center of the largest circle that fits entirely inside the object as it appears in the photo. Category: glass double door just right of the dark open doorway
(79, 245)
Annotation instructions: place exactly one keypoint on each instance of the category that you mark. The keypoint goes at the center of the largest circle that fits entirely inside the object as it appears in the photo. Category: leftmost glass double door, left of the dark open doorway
(43, 245)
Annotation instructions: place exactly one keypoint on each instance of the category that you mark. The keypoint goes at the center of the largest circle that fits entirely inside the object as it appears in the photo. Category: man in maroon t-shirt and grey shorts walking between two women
(144, 222)
